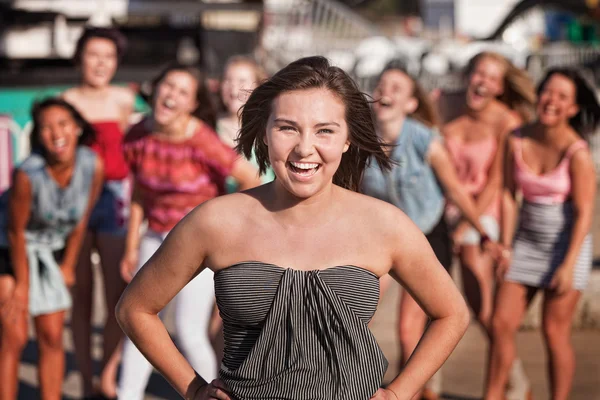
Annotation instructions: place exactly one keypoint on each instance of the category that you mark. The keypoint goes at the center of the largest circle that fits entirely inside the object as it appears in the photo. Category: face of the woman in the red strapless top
(99, 61)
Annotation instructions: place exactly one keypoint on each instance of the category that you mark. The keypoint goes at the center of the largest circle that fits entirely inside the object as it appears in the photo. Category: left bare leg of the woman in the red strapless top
(81, 314)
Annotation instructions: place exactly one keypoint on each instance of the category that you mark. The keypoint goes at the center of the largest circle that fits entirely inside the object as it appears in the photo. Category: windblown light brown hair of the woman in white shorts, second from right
(519, 91)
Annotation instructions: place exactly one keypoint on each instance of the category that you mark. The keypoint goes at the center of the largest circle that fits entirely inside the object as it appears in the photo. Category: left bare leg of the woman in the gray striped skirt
(511, 302)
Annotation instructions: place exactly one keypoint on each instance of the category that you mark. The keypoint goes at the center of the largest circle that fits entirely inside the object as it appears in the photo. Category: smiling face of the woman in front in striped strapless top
(306, 137)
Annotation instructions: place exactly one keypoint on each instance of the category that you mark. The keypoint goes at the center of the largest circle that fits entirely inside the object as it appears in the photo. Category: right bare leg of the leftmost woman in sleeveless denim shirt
(51, 372)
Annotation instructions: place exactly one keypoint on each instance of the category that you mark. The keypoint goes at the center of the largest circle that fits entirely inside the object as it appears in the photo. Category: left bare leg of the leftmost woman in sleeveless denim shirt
(13, 338)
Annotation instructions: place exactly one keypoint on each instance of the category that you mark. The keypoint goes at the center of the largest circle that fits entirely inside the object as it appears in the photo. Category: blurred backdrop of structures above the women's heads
(436, 38)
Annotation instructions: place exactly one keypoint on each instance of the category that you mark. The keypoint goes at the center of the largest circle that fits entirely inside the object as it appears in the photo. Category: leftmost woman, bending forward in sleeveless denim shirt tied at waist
(41, 232)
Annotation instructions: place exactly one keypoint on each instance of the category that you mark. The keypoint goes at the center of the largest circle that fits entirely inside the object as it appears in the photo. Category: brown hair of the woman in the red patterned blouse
(206, 110)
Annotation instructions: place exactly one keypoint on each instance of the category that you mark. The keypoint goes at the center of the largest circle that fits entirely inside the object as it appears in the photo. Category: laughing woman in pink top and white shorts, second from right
(499, 98)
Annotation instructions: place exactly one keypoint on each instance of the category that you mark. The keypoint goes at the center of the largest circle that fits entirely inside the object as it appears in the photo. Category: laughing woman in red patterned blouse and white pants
(178, 162)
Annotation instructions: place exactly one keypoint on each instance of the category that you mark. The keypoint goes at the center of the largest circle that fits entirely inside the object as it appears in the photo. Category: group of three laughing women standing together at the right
(503, 143)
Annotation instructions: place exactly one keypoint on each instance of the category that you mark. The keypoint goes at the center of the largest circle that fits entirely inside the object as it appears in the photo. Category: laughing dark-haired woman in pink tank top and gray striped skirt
(550, 165)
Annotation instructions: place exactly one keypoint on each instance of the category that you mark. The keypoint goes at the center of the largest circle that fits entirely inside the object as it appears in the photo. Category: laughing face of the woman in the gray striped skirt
(558, 101)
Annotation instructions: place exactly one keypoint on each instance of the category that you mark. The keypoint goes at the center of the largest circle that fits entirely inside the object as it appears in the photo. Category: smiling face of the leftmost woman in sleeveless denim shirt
(59, 133)
